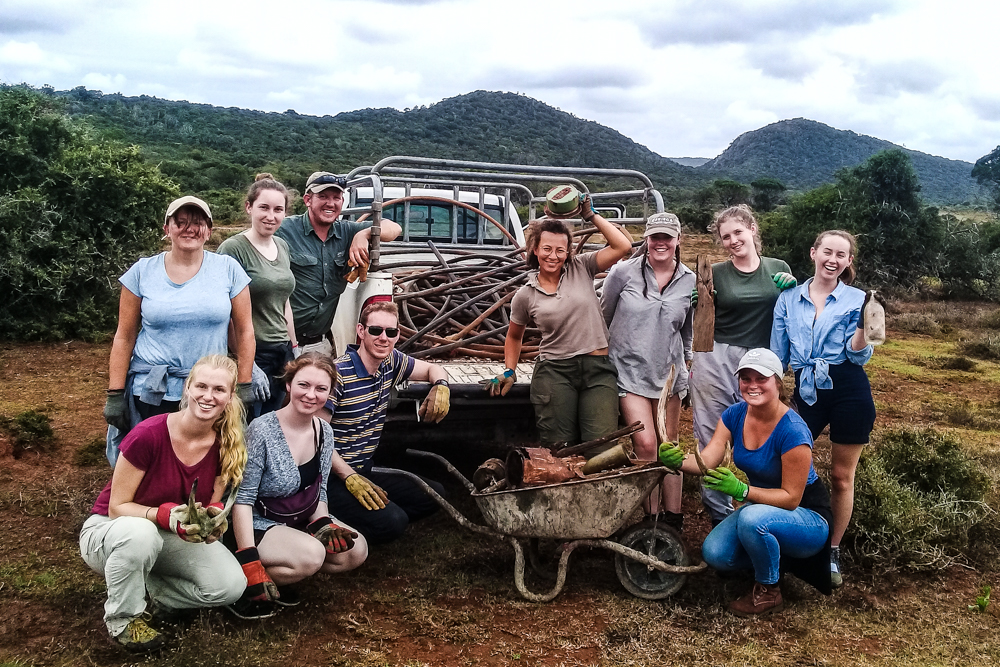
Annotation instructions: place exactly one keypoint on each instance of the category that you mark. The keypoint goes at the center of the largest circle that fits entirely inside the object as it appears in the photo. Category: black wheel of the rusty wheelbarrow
(659, 541)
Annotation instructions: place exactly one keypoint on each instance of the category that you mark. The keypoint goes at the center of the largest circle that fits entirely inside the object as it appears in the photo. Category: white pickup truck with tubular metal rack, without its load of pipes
(447, 202)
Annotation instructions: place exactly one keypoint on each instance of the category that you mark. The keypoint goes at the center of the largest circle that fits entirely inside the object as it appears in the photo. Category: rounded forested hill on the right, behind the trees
(804, 154)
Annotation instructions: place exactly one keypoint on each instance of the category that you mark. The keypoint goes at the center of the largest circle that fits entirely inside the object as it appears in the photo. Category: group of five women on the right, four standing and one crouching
(601, 354)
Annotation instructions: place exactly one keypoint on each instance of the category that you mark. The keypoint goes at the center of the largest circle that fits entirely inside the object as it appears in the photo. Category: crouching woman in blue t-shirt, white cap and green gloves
(785, 520)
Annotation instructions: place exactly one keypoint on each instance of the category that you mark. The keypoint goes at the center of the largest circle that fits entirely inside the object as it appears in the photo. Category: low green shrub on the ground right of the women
(918, 498)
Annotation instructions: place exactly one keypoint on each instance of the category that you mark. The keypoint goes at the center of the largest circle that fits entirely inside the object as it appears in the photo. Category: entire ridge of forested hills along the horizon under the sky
(206, 147)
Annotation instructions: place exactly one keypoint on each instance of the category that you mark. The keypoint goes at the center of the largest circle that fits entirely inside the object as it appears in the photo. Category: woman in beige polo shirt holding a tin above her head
(574, 387)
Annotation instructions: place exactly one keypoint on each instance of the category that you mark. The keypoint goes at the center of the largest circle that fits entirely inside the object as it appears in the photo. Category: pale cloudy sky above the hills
(683, 77)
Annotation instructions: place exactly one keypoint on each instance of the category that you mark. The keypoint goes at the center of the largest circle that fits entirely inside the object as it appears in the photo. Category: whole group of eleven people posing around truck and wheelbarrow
(307, 496)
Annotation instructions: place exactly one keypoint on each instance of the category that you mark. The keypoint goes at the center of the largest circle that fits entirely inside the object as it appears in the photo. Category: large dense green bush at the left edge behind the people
(78, 215)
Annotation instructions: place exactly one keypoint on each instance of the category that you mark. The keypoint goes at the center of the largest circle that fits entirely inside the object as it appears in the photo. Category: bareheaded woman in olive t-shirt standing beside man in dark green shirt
(265, 258)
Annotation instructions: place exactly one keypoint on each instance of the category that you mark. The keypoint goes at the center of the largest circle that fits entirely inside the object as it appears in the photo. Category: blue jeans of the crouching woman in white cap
(757, 535)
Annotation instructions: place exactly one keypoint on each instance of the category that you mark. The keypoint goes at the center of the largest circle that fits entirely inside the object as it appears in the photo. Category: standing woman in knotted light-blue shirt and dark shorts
(819, 332)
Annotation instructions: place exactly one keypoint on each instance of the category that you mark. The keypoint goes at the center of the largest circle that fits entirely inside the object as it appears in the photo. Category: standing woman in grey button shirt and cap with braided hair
(647, 307)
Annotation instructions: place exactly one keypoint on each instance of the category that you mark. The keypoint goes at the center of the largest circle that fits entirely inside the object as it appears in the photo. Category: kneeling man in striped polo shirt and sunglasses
(378, 505)
